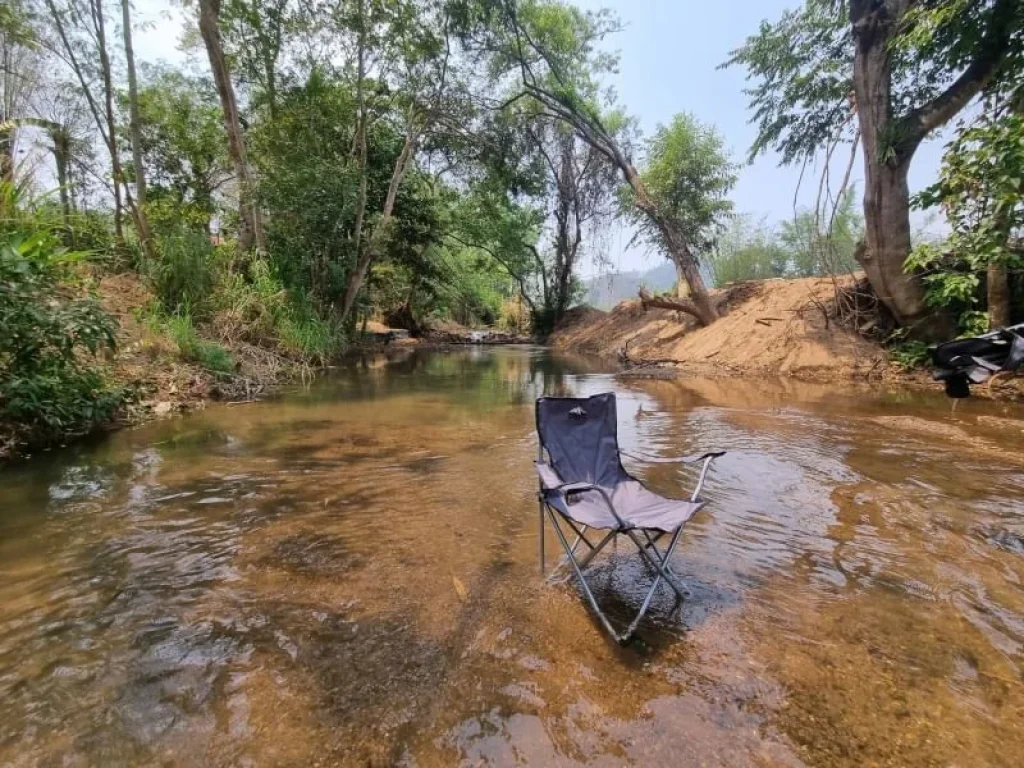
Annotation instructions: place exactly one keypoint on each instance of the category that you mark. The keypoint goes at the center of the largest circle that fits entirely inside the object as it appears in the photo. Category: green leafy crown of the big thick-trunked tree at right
(802, 68)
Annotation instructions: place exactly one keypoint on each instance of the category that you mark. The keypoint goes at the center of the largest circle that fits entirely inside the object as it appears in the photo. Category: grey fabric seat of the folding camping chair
(637, 506)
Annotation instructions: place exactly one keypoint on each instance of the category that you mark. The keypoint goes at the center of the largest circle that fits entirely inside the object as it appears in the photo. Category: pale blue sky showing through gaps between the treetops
(669, 57)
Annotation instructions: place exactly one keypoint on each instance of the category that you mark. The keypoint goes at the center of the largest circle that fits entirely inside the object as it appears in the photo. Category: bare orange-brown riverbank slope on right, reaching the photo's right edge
(807, 329)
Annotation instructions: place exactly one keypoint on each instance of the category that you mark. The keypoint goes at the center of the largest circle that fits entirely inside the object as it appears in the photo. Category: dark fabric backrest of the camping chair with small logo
(581, 438)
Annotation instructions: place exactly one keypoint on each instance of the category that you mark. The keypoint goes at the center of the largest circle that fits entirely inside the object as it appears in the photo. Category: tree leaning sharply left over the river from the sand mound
(552, 49)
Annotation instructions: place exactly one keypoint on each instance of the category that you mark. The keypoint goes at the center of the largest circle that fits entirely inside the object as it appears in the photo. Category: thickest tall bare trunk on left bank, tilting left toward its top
(251, 229)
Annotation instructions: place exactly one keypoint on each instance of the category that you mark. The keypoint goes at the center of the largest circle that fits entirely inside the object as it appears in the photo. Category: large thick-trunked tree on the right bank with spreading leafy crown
(895, 71)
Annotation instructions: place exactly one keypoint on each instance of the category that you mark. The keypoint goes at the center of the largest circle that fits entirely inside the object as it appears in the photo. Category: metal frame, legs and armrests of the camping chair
(659, 563)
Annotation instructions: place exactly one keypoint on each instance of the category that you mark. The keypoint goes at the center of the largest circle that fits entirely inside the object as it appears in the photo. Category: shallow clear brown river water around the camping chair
(349, 576)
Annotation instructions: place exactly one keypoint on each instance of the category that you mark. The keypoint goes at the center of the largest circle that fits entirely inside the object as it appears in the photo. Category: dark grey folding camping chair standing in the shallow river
(584, 486)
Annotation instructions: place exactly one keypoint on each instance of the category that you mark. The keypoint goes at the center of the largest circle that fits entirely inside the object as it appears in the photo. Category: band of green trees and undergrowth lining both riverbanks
(429, 162)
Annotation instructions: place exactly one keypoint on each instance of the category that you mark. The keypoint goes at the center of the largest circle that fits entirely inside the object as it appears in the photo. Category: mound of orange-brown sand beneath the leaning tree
(773, 327)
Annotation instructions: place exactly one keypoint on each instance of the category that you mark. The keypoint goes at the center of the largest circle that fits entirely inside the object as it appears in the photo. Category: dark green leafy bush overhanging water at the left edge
(51, 383)
